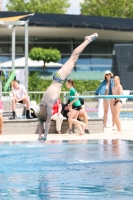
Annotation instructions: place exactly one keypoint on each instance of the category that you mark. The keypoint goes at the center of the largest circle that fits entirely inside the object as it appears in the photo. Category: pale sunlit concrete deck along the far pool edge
(127, 134)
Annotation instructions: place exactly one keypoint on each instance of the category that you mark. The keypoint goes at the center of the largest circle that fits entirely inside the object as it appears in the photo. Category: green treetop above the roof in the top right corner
(108, 8)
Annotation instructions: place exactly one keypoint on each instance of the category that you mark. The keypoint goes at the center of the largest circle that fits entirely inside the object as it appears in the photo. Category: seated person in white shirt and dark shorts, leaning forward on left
(20, 96)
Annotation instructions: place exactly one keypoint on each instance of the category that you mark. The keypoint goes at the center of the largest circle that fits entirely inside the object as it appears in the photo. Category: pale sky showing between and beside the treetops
(74, 9)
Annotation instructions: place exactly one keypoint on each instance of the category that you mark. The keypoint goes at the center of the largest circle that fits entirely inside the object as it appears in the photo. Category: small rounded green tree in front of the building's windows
(46, 55)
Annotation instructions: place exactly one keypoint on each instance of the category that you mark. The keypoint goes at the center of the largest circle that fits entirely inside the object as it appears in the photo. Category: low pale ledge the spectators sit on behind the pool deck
(30, 126)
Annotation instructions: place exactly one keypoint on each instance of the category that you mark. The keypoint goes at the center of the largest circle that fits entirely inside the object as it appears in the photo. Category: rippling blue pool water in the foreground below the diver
(97, 169)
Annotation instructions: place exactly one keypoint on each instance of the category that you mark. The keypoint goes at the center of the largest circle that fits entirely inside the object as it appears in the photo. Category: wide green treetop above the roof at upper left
(40, 6)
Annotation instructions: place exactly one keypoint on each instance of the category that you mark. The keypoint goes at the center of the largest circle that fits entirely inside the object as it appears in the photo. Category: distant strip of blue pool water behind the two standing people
(123, 114)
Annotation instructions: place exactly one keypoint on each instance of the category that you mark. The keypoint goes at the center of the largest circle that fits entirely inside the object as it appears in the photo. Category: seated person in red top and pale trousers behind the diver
(57, 116)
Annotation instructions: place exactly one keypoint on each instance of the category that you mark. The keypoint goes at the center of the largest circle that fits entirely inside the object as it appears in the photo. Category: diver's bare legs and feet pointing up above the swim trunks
(66, 69)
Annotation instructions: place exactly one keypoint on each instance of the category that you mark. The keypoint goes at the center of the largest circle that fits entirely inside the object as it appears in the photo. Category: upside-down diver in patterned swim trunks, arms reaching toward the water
(54, 90)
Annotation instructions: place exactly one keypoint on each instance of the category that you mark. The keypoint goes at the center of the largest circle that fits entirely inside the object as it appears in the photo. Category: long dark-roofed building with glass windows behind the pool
(66, 32)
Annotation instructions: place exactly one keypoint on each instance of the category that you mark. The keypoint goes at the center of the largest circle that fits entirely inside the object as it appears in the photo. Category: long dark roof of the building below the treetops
(75, 21)
